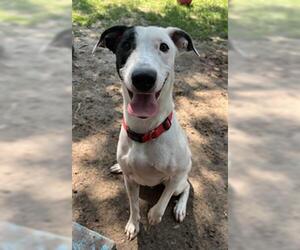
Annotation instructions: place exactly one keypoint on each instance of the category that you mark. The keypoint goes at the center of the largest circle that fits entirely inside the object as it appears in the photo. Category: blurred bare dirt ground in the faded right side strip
(264, 145)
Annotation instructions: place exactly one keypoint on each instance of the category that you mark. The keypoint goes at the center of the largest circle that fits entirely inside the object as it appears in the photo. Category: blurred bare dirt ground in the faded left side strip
(35, 133)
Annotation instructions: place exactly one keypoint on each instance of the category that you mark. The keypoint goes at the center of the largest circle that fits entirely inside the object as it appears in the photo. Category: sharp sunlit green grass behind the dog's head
(203, 19)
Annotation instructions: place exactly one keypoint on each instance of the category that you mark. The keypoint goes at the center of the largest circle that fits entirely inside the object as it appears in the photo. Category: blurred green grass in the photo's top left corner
(32, 12)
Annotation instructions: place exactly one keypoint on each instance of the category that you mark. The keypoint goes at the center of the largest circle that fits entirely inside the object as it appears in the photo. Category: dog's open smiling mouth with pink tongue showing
(144, 105)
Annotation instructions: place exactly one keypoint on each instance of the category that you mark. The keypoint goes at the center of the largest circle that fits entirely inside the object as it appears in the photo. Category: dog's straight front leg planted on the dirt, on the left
(132, 228)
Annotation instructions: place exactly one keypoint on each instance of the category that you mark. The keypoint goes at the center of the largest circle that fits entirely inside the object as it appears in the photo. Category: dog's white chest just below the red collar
(152, 163)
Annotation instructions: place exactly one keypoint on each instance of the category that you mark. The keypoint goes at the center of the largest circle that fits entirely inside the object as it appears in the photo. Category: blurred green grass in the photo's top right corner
(264, 18)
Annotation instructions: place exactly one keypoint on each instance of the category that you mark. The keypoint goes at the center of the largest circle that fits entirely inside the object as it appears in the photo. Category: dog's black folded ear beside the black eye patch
(110, 38)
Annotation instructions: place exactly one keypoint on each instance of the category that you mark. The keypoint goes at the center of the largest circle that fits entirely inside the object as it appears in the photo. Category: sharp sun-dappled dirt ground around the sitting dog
(99, 198)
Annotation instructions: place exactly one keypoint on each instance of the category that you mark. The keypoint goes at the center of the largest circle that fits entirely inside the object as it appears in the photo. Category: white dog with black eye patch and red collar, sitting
(152, 147)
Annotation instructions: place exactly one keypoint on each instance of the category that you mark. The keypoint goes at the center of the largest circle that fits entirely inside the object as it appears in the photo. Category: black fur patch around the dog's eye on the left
(125, 47)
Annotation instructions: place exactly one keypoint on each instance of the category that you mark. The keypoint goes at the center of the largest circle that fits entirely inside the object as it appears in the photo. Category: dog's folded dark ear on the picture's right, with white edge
(182, 40)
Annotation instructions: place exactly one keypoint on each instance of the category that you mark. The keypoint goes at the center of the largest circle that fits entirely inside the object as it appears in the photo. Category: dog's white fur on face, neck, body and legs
(166, 159)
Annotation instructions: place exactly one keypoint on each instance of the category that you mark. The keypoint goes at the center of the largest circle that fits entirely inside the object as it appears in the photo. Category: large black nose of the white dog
(143, 80)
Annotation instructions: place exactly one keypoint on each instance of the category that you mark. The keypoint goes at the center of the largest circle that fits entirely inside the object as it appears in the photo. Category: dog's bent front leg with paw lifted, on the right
(156, 212)
